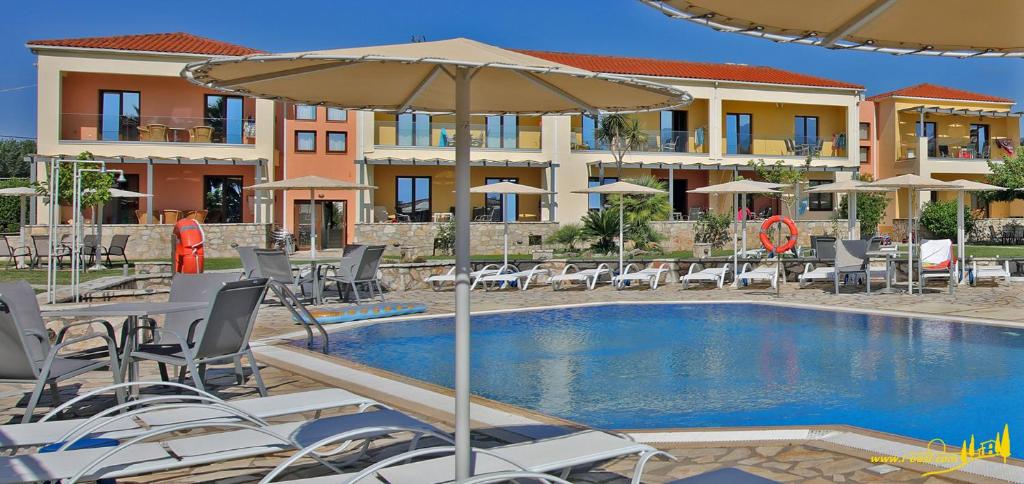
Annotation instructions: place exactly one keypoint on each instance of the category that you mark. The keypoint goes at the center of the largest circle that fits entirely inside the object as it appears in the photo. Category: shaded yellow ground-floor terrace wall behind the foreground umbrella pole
(443, 187)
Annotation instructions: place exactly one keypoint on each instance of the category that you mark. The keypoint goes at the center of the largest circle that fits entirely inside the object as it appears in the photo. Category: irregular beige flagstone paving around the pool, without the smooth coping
(785, 462)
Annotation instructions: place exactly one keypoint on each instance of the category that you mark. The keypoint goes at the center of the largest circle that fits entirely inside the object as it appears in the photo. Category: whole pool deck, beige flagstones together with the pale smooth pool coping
(813, 456)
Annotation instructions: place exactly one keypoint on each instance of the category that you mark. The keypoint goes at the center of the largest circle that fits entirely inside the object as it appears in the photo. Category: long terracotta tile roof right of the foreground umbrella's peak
(680, 69)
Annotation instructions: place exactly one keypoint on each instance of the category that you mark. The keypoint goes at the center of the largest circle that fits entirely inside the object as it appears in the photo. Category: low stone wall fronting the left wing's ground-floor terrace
(154, 242)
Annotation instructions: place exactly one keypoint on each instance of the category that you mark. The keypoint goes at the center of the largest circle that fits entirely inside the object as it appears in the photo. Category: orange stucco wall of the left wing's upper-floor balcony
(172, 102)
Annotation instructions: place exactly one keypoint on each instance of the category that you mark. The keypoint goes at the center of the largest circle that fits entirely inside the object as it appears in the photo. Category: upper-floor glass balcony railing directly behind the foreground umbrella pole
(389, 134)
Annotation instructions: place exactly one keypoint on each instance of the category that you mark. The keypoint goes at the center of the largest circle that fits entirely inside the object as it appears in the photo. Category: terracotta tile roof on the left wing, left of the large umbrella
(176, 42)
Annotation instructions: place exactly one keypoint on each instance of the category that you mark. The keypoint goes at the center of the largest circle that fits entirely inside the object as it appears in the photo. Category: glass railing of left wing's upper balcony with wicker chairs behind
(163, 129)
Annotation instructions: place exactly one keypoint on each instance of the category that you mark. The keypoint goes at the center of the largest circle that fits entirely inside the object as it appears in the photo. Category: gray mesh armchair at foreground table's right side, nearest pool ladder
(223, 336)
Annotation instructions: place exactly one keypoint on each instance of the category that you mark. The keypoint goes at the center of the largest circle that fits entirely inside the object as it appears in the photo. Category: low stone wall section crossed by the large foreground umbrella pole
(485, 238)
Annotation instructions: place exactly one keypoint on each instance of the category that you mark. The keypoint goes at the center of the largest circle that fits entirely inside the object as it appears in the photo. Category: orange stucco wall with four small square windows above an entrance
(339, 166)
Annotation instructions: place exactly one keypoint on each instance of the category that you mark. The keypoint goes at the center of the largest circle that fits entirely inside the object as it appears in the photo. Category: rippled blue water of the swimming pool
(634, 367)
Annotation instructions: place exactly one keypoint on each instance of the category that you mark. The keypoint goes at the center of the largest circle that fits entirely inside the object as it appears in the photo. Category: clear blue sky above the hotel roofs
(605, 27)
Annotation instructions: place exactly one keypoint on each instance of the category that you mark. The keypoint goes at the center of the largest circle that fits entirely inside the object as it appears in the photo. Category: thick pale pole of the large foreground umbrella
(462, 321)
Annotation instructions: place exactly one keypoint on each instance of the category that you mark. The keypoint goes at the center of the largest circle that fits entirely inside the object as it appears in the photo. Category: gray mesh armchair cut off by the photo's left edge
(28, 357)
